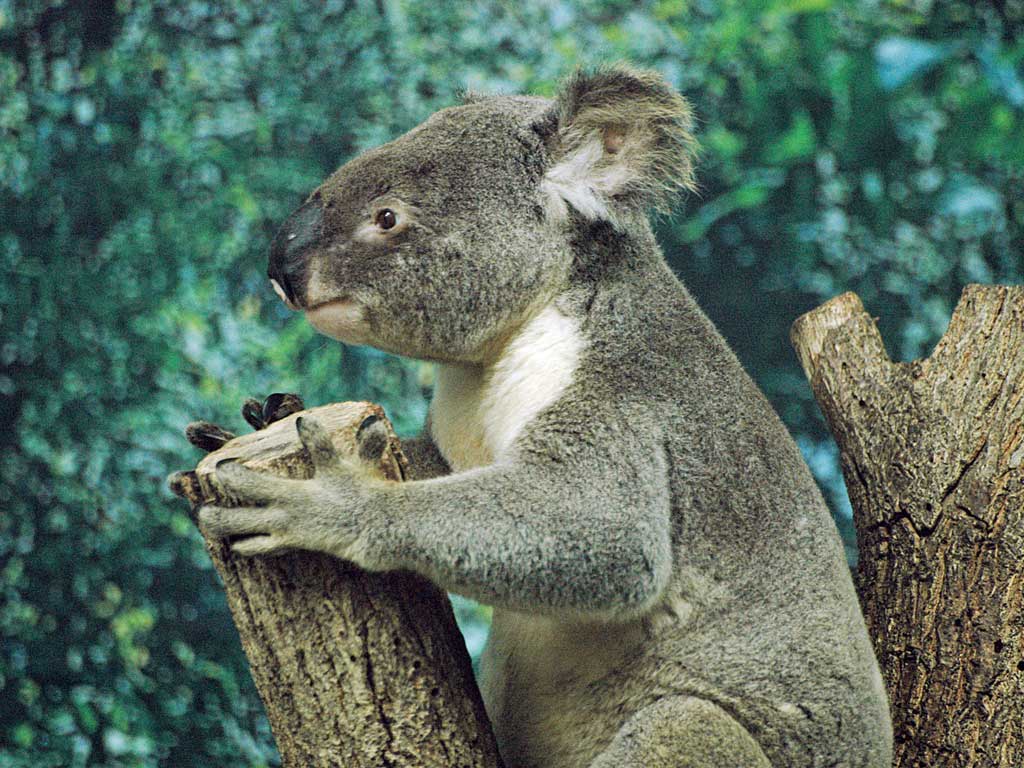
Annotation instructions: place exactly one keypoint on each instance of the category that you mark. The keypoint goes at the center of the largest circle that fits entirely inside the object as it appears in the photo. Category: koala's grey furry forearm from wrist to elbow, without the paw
(585, 529)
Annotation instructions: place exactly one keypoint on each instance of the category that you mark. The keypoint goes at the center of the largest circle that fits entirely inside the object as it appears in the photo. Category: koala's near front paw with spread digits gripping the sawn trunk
(272, 515)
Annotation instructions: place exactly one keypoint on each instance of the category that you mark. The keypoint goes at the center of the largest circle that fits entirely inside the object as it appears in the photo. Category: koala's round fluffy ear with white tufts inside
(617, 138)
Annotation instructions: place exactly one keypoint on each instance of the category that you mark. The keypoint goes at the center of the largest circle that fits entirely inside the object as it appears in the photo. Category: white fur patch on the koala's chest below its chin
(478, 412)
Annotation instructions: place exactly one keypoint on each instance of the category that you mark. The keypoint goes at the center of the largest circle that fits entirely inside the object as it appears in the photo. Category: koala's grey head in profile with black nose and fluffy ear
(439, 244)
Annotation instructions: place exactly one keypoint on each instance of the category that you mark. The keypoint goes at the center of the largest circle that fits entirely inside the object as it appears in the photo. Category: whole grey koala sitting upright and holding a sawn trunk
(668, 585)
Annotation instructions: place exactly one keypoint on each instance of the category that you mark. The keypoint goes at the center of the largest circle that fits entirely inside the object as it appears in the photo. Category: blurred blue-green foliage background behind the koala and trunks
(150, 148)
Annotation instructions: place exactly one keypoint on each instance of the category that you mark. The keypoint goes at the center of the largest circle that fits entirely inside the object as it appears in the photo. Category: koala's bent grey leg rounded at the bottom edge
(682, 733)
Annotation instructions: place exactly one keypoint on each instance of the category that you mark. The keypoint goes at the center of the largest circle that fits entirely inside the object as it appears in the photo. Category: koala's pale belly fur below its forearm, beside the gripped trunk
(542, 685)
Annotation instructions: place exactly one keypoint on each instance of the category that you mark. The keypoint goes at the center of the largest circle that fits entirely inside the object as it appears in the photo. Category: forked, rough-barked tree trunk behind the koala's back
(933, 456)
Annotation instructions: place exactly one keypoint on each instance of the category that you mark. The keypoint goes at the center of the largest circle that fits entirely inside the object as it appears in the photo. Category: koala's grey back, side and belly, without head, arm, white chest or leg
(760, 616)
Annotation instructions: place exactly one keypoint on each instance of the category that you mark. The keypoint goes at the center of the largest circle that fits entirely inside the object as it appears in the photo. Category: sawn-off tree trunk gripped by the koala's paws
(355, 669)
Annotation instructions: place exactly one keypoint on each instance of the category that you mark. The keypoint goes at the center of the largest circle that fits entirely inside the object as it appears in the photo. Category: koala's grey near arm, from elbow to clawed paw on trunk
(579, 524)
